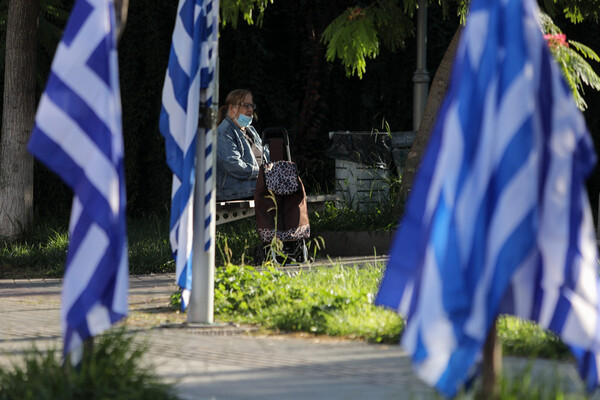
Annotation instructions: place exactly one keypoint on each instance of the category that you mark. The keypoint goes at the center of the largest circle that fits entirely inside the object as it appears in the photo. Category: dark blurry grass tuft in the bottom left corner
(113, 370)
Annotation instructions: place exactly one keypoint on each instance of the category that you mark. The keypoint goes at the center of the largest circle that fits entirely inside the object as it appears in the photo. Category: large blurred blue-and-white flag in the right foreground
(498, 219)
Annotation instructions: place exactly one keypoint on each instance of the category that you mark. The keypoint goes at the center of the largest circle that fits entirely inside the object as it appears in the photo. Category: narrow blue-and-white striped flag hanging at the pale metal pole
(188, 83)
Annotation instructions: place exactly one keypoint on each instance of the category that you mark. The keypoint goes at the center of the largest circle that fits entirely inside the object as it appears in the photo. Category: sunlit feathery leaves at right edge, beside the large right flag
(575, 69)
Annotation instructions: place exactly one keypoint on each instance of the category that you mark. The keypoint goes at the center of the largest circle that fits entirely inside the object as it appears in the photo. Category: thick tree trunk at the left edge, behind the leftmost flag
(16, 164)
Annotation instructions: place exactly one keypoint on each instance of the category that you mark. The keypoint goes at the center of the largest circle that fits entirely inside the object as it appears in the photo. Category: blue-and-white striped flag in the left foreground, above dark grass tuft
(78, 135)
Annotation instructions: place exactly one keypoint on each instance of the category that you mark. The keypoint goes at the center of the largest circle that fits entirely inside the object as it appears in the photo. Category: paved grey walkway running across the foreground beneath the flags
(227, 362)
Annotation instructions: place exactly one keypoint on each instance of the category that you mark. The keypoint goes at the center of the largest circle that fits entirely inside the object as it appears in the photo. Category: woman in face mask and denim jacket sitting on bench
(239, 148)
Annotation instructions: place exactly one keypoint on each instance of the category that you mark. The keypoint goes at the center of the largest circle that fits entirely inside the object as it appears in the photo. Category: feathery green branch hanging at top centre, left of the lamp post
(355, 35)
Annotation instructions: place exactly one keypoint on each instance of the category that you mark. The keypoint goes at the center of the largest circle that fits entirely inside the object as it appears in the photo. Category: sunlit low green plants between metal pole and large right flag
(335, 301)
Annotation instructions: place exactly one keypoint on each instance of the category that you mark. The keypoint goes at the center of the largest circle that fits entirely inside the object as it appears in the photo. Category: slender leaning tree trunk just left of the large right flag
(434, 101)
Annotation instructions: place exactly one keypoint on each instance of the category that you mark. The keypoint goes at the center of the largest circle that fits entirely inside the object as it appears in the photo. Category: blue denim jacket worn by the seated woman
(237, 169)
